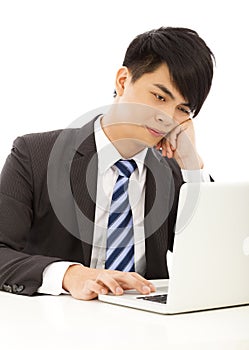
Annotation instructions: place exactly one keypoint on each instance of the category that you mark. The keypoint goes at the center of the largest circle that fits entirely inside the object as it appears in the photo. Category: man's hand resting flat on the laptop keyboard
(85, 283)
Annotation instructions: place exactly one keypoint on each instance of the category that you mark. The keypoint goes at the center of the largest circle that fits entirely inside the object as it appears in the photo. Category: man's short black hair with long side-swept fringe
(189, 59)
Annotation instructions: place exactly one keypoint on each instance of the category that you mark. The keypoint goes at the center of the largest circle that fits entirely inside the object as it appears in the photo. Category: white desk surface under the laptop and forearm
(47, 322)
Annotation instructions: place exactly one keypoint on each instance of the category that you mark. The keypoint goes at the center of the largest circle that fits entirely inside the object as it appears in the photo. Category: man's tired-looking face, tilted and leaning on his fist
(149, 108)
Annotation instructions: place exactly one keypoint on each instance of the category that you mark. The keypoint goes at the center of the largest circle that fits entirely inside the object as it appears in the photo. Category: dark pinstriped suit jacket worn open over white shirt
(42, 185)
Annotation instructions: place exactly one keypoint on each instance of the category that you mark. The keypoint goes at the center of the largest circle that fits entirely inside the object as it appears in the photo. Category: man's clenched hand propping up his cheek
(180, 144)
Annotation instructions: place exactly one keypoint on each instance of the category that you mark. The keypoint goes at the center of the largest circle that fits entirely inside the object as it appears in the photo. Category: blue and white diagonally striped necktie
(120, 240)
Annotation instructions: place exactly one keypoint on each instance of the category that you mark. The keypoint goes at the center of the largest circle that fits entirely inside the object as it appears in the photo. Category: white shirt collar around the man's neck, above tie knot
(108, 154)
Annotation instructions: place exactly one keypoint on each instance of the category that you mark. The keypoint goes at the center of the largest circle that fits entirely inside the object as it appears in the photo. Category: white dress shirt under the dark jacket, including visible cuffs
(106, 178)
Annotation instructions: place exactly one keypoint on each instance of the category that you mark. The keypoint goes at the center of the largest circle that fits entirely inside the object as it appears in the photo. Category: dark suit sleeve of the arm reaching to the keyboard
(19, 272)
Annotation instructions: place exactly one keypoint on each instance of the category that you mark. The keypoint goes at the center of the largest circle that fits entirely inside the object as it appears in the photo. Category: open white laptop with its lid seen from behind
(210, 261)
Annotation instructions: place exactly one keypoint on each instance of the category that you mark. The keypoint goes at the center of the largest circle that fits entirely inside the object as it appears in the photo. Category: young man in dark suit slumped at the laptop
(100, 217)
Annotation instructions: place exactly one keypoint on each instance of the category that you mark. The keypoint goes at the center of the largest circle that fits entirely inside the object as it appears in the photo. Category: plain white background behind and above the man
(58, 60)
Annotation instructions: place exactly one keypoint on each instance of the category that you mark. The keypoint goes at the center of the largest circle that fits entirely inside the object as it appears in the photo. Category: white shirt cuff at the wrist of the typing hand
(53, 276)
